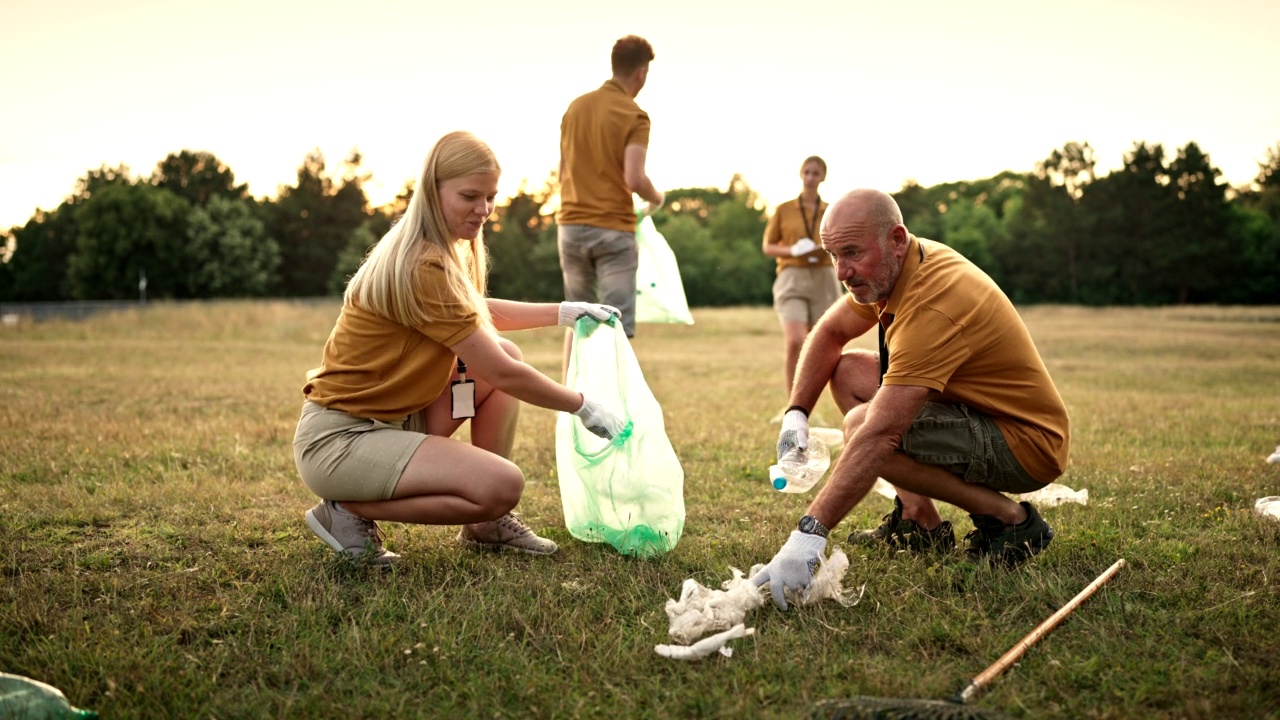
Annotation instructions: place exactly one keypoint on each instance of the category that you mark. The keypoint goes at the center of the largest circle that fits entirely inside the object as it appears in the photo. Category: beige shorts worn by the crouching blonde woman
(341, 457)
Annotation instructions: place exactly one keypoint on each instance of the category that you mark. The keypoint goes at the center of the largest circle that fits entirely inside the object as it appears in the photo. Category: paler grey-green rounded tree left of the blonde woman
(228, 253)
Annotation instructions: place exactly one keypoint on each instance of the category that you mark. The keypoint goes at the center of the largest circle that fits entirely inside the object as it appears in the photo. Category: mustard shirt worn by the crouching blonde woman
(377, 368)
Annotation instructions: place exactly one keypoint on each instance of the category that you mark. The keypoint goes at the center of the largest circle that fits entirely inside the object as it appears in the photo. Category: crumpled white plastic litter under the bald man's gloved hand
(702, 610)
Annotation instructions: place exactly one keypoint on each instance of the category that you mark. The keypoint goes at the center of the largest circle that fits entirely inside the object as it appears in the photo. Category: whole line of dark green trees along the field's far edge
(1162, 230)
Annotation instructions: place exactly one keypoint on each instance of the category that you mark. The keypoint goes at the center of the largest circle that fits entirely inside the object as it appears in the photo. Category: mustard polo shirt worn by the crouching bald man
(954, 331)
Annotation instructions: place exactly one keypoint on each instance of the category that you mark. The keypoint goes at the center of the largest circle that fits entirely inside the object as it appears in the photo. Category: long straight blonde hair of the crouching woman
(386, 282)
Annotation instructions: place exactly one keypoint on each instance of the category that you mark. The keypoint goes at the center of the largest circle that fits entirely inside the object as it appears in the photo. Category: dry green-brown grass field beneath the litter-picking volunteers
(154, 560)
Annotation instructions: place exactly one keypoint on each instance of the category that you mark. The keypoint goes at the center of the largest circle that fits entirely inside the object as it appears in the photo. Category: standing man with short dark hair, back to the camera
(605, 139)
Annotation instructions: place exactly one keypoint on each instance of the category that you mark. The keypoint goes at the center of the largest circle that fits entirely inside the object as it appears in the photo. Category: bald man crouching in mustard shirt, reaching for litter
(958, 405)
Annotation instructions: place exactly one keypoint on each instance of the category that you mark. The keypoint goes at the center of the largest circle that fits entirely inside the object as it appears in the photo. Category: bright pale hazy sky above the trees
(932, 90)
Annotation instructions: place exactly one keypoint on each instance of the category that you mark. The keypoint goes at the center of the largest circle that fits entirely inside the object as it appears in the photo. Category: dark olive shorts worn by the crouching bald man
(968, 444)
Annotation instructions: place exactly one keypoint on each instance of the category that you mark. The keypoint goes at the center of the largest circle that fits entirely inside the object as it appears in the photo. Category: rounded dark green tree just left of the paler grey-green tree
(126, 233)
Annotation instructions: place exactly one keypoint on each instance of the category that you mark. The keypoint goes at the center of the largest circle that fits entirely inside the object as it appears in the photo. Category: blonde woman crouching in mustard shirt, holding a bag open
(374, 439)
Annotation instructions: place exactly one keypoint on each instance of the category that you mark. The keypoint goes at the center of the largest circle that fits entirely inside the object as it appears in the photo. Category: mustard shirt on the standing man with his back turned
(595, 134)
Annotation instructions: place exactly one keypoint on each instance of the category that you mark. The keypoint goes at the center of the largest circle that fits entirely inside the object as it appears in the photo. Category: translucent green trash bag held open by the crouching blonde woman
(628, 493)
